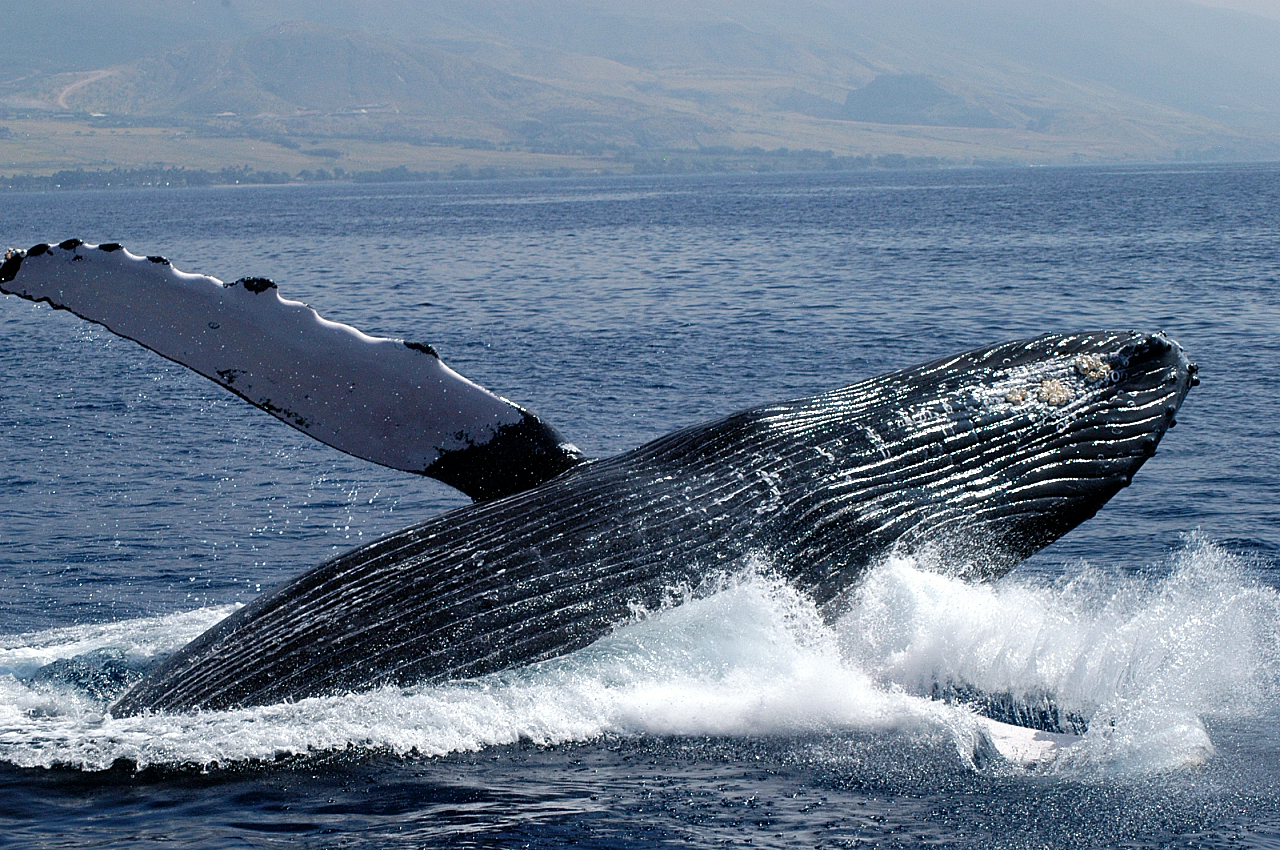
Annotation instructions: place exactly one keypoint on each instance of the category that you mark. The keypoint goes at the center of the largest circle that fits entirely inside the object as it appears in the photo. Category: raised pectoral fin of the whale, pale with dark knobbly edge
(382, 400)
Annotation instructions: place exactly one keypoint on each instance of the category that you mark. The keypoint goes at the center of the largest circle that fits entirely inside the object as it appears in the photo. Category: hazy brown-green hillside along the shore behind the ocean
(426, 85)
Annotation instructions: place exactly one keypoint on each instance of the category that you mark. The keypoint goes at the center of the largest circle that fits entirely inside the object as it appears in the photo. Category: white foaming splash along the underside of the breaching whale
(1146, 662)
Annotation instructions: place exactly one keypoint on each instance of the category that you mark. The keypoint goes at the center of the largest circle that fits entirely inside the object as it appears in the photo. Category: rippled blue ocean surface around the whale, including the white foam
(140, 504)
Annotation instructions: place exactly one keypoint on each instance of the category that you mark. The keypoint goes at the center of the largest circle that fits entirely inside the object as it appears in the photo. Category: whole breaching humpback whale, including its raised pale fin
(984, 458)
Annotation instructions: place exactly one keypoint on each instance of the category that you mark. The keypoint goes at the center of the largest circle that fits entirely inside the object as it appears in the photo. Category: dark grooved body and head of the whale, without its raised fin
(986, 458)
